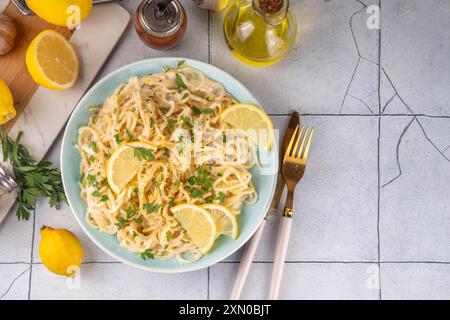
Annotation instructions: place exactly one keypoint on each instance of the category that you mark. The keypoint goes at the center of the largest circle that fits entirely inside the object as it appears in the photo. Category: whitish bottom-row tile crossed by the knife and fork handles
(300, 281)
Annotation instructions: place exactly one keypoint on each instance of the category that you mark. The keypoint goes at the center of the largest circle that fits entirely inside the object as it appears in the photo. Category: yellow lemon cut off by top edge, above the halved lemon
(66, 13)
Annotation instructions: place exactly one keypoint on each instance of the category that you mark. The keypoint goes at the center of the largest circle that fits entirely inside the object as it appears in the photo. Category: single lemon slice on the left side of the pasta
(123, 164)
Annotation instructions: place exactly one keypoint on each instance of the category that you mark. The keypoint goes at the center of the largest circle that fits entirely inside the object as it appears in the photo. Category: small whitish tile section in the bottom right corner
(415, 281)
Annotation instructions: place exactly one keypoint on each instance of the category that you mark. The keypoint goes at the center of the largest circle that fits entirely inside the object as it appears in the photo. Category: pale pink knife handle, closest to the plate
(246, 262)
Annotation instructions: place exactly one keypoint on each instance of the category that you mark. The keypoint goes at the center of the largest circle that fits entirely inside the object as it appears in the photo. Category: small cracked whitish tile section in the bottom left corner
(14, 281)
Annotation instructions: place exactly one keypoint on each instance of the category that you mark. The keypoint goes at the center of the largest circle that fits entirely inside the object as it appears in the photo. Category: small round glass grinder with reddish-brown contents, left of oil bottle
(160, 24)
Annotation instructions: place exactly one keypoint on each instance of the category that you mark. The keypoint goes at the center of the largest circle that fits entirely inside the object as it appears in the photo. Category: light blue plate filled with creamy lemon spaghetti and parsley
(147, 139)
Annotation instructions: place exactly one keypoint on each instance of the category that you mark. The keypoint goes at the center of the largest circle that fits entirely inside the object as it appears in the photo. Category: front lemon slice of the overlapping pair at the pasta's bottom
(199, 225)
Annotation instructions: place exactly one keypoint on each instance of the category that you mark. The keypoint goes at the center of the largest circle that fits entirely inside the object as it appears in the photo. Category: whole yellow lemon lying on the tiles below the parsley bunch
(60, 250)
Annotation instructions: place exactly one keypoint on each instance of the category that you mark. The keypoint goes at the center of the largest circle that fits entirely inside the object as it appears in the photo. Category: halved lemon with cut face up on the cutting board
(52, 61)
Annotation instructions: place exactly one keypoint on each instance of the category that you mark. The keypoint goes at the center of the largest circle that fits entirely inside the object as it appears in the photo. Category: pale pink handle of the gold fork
(284, 233)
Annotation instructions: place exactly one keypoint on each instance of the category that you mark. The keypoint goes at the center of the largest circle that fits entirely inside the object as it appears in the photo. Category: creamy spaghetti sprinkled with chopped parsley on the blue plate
(197, 160)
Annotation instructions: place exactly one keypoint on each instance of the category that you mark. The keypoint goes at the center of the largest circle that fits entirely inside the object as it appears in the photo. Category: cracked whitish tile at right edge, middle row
(414, 211)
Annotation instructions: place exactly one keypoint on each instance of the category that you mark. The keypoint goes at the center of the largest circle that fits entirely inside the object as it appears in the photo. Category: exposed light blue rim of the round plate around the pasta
(264, 178)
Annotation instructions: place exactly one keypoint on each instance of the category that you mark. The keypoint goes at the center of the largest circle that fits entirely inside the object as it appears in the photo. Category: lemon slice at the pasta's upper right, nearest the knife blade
(250, 117)
